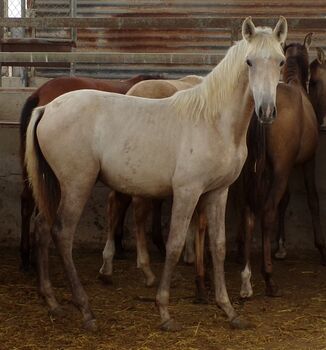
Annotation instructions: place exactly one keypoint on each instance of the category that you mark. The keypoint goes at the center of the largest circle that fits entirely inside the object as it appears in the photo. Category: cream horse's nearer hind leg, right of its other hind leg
(73, 199)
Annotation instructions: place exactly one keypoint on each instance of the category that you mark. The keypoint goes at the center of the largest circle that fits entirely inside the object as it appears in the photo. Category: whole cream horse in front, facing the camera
(191, 145)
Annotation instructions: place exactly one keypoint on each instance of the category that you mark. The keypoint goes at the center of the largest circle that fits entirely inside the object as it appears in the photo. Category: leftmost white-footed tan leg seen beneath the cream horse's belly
(117, 205)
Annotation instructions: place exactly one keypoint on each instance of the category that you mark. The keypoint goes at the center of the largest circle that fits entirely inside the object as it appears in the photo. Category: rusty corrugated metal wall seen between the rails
(177, 40)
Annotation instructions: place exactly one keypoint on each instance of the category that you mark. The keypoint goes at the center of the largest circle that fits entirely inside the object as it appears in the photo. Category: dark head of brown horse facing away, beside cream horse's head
(297, 61)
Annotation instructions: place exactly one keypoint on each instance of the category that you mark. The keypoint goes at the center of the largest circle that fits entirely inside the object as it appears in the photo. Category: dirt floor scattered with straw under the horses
(127, 317)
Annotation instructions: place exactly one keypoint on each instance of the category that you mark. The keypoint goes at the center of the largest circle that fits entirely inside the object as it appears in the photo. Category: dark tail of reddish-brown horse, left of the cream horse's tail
(25, 116)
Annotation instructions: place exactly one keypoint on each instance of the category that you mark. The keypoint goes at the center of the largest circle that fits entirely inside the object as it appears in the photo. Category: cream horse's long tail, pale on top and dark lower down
(44, 183)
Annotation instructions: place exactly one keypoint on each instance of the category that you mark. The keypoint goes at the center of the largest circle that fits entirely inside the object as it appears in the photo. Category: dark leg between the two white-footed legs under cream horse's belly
(123, 202)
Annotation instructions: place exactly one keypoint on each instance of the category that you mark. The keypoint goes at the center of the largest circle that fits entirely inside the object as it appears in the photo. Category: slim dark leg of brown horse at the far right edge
(313, 202)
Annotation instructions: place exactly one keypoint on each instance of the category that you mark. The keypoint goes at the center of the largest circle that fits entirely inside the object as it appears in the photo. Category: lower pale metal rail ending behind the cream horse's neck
(15, 58)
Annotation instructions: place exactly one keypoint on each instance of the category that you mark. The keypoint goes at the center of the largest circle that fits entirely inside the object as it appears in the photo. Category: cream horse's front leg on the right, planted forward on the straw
(215, 203)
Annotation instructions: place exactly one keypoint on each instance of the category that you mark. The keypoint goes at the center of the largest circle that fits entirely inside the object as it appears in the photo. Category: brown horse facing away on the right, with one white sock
(272, 153)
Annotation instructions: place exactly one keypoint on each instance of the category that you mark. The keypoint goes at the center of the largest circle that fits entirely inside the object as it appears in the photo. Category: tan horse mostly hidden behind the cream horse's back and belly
(119, 202)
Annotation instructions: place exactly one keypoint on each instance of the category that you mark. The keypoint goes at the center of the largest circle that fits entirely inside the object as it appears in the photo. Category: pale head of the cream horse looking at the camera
(264, 59)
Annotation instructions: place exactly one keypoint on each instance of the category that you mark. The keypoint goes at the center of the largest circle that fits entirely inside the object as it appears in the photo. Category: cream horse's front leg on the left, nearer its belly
(184, 203)
